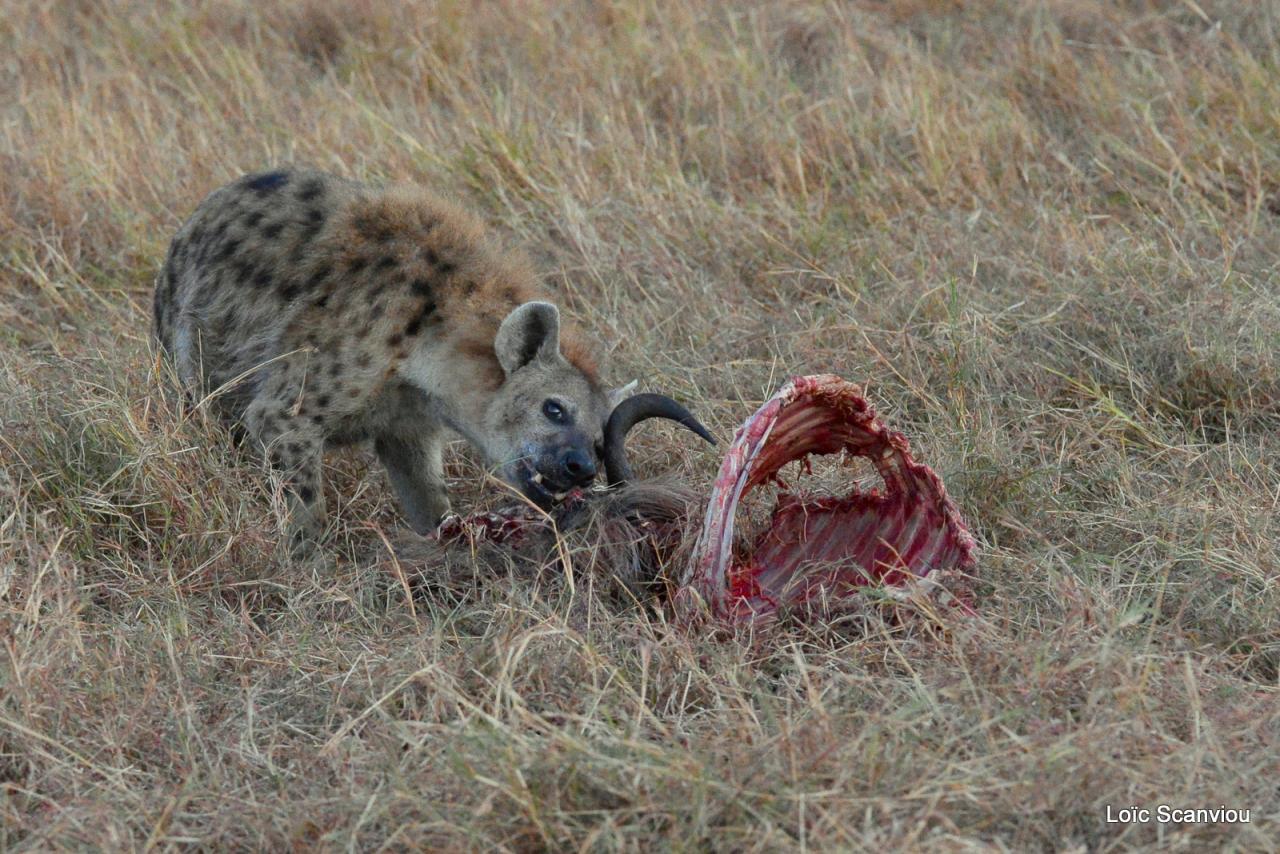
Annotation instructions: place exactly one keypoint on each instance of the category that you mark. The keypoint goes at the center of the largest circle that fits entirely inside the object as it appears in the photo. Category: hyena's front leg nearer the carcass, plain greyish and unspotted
(415, 468)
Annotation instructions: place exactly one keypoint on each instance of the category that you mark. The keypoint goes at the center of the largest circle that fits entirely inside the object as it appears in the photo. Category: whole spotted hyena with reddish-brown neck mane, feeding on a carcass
(326, 313)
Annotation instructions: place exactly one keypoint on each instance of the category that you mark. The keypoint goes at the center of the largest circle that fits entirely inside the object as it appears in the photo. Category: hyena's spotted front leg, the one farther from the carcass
(295, 447)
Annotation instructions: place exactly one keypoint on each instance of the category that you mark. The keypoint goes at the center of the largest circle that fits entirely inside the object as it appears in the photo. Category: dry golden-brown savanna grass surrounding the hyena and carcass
(1045, 234)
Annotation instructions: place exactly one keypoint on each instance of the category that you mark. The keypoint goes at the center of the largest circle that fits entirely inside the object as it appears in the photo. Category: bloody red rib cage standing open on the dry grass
(825, 547)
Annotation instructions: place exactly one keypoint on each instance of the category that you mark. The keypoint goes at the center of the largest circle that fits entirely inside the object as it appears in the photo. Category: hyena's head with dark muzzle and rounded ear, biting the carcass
(546, 423)
